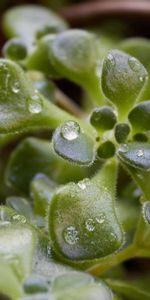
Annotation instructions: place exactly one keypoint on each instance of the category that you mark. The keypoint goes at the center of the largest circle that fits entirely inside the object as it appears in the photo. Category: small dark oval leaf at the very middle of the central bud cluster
(122, 131)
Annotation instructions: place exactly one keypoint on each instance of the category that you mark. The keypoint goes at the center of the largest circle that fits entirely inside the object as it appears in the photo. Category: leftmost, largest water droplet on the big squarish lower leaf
(71, 235)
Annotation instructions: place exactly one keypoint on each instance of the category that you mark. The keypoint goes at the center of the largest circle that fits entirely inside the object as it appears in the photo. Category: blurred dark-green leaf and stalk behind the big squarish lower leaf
(33, 156)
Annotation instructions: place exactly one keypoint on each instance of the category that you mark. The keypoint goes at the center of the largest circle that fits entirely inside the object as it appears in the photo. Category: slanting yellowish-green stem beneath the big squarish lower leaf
(111, 261)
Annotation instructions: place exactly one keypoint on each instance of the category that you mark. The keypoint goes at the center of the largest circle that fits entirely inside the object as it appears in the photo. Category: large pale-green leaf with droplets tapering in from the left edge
(21, 106)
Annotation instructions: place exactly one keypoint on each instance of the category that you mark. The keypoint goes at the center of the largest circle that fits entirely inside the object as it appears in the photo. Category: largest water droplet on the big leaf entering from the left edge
(34, 104)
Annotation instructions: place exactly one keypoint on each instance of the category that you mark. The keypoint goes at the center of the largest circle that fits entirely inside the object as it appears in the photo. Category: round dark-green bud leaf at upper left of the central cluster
(103, 118)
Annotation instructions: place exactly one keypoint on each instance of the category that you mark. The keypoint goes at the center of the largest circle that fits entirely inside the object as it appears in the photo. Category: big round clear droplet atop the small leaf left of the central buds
(70, 130)
